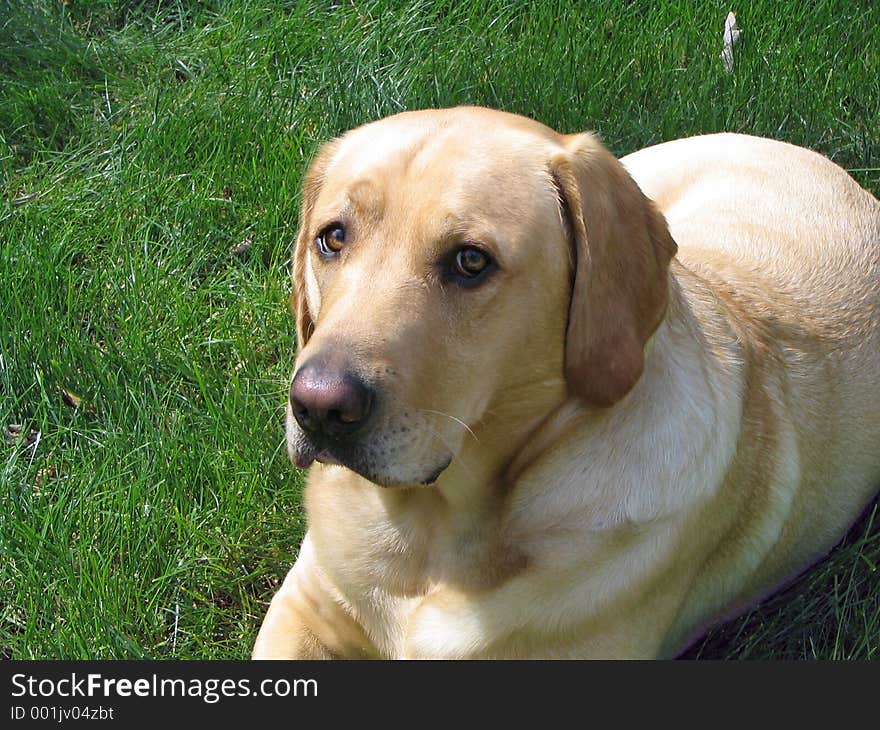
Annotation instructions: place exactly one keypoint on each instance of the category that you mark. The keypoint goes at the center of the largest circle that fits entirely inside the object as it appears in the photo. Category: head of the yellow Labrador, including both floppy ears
(461, 267)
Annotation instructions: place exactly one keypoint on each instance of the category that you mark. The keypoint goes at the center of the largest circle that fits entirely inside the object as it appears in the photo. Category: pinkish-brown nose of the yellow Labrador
(329, 402)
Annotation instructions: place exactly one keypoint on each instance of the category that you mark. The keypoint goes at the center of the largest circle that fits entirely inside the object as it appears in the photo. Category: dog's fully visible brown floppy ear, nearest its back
(622, 250)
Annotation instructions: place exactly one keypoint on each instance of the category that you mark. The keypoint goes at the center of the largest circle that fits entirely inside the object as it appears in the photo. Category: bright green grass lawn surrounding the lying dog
(150, 160)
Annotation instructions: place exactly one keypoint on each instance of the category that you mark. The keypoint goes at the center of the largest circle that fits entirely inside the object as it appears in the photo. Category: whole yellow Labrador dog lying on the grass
(563, 405)
